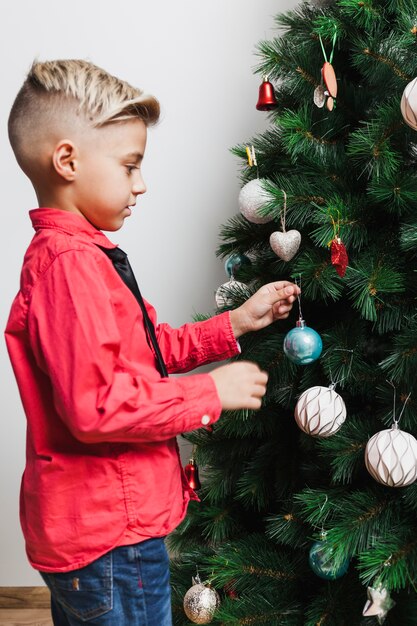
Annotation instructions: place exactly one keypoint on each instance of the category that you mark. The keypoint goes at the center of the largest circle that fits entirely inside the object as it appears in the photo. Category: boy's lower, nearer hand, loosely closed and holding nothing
(240, 385)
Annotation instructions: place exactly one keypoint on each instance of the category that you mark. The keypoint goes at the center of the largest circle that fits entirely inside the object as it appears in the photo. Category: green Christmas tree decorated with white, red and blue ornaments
(294, 528)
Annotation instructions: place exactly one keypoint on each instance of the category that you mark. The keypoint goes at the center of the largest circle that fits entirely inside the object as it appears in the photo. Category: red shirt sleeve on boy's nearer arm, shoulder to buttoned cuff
(100, 396)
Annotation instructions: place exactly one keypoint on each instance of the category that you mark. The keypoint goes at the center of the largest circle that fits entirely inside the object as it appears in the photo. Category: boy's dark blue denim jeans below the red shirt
(128, 586)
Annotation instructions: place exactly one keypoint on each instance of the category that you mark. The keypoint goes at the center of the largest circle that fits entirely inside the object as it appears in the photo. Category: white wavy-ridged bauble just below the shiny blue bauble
(320, 411)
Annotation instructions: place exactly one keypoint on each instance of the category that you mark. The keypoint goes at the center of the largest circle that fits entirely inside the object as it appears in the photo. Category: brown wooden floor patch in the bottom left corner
(24, 606)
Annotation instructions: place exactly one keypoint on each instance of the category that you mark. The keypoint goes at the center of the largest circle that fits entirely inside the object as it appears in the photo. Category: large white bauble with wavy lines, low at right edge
(391, 457)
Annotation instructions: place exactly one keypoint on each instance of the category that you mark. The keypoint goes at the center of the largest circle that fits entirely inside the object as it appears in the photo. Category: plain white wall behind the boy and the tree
(197, 58)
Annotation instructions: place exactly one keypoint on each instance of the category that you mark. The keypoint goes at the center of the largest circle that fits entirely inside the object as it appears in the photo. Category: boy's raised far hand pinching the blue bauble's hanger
(270, 303)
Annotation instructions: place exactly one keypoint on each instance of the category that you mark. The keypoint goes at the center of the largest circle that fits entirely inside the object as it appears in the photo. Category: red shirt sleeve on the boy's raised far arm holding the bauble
(198, 343)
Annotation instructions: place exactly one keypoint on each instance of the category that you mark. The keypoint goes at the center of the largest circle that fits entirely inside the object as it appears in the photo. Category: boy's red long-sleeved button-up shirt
(102, 463)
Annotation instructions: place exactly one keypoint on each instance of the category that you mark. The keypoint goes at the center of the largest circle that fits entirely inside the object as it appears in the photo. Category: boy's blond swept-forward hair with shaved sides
(56, 88)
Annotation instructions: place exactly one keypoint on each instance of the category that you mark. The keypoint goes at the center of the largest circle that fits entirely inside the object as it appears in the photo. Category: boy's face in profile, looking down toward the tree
(109, 173)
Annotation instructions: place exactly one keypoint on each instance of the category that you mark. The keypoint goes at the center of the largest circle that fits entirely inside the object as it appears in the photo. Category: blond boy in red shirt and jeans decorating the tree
(90, 365)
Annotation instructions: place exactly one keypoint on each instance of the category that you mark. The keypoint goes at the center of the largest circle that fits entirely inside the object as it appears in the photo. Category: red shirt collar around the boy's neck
(69, 223)
